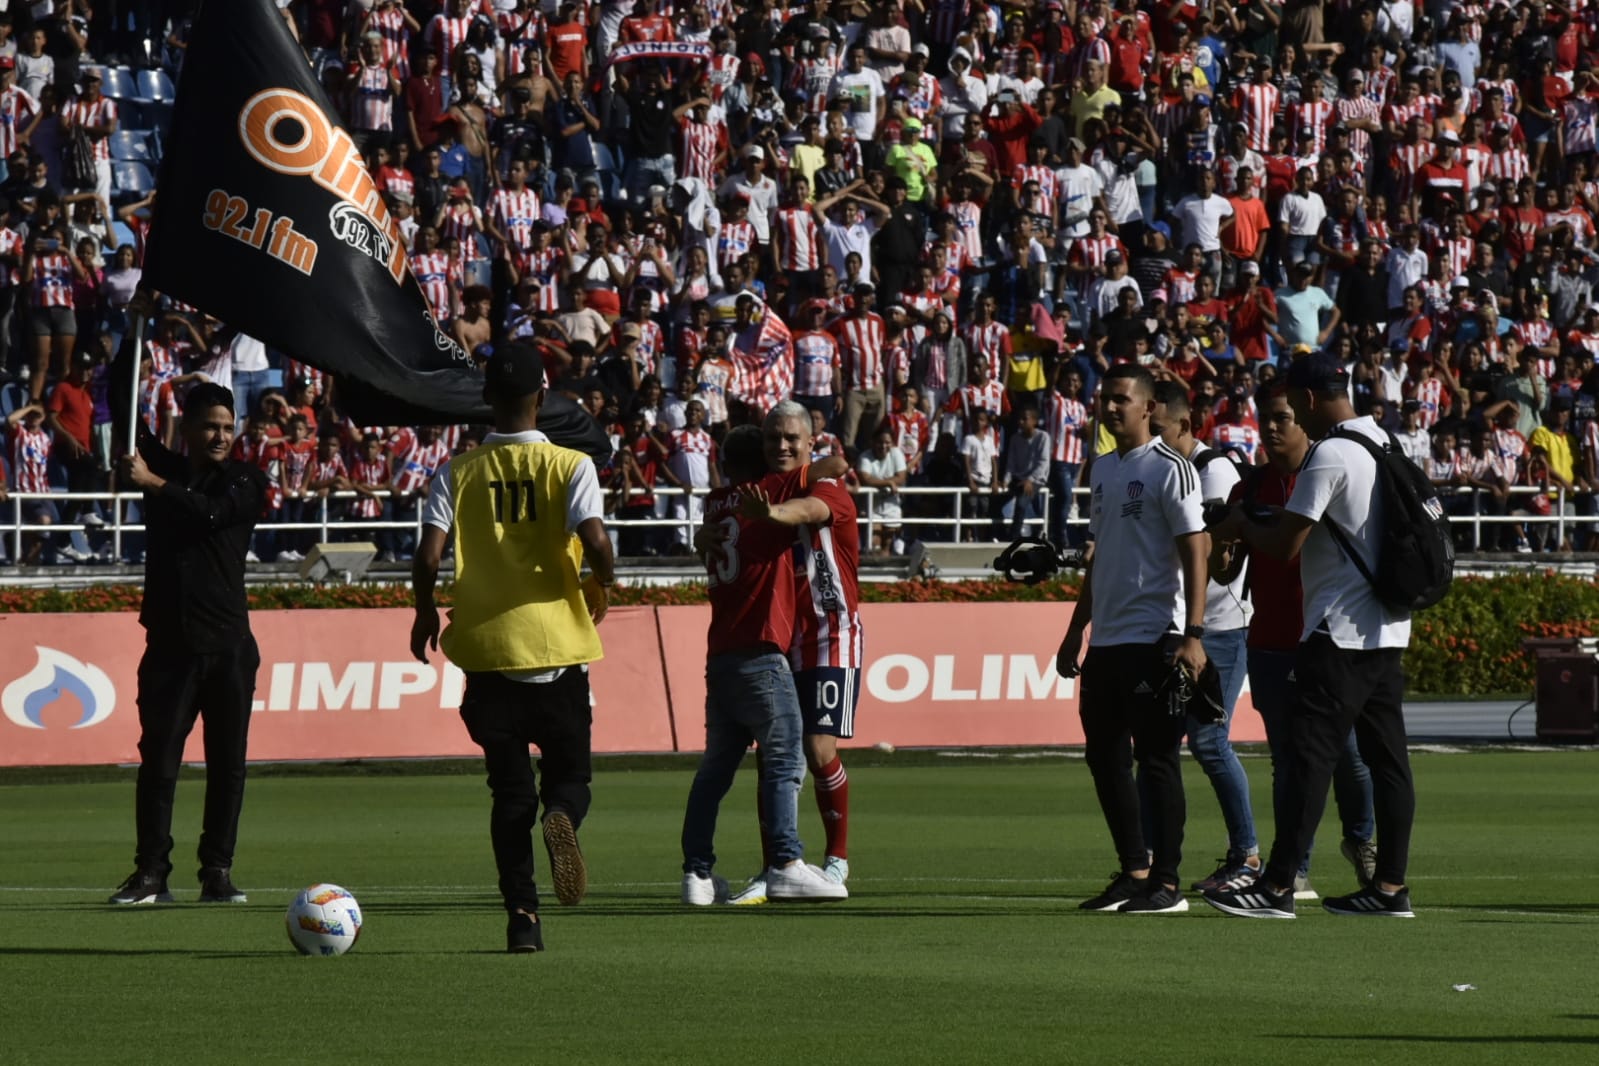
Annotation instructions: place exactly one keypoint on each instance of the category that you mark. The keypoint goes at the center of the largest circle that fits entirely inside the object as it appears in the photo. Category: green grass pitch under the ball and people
(960, 945)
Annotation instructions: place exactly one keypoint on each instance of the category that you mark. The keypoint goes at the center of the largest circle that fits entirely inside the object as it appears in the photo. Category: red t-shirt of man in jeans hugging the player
(752, 576)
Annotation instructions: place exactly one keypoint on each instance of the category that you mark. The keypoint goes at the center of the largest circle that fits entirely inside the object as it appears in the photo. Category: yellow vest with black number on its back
(519, 605)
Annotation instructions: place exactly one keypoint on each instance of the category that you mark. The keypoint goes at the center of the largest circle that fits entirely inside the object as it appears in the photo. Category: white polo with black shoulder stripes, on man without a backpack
(1142, 503)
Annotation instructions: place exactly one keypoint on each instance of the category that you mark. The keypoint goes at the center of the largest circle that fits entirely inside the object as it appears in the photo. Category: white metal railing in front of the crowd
(329, 523)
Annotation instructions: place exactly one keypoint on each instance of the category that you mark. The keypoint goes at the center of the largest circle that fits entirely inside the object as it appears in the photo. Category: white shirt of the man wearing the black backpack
(1339, 485)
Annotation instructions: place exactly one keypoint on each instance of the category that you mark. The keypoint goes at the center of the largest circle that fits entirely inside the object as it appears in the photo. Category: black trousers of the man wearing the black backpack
(1334, 691)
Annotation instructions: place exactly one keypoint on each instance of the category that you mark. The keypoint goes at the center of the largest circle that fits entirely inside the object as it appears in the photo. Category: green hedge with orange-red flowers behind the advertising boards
(1469, 645)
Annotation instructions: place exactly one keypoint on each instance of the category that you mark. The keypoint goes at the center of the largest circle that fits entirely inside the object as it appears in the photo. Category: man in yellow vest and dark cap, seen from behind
(525, 515)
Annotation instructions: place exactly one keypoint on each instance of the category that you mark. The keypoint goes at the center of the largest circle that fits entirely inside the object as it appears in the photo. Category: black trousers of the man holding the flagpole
(175, 688)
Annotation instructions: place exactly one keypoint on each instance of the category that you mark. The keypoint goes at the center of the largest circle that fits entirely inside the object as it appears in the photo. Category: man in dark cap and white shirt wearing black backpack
(1349, 670)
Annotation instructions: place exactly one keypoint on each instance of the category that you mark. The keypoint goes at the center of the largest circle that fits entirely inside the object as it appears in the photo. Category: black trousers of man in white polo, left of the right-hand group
(1123, 722)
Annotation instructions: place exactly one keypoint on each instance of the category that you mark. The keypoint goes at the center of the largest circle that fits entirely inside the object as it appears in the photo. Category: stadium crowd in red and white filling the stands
(933, 223)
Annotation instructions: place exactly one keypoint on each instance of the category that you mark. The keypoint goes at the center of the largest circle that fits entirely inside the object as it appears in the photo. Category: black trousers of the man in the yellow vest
(504, 717)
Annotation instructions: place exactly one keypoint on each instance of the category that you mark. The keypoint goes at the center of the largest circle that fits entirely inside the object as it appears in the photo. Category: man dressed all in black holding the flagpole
(199, 659)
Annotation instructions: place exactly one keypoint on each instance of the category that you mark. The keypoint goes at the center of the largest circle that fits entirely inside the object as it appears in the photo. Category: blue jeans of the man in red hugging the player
(749, 696)
